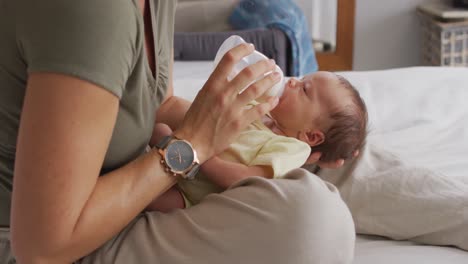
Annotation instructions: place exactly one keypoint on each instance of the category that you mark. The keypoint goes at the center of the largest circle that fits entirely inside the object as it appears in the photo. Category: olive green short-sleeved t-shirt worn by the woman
(101, 41)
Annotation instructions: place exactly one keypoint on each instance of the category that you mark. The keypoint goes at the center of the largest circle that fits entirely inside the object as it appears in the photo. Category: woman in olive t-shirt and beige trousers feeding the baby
(86, 79)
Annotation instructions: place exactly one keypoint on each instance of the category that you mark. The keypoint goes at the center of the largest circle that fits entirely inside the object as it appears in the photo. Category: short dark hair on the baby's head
(348, 130)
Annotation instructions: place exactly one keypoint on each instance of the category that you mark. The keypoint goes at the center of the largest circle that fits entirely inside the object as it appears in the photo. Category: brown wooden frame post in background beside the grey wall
(342, 58)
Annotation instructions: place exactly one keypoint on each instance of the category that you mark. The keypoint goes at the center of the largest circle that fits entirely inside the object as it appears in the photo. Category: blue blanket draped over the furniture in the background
(286, 16)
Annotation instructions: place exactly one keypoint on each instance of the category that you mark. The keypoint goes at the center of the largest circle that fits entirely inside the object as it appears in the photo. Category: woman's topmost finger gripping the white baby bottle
(231, 58)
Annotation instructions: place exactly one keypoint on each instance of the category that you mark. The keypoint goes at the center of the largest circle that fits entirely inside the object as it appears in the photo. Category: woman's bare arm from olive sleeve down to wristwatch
(61, 209)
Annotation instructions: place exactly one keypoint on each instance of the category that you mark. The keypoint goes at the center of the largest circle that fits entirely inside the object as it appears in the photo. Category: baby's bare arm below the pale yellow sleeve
(224, 173)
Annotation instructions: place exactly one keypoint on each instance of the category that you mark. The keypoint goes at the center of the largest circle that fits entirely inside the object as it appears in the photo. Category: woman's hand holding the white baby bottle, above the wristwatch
(218, 113)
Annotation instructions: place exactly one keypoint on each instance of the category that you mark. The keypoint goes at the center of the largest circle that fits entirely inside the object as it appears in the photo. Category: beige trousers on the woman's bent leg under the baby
(299, 219)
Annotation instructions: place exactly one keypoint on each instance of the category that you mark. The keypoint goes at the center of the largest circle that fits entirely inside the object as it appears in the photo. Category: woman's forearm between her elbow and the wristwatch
(128, 191)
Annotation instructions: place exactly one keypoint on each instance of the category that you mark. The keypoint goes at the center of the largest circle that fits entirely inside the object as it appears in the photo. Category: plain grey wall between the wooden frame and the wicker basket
(386, 34)
